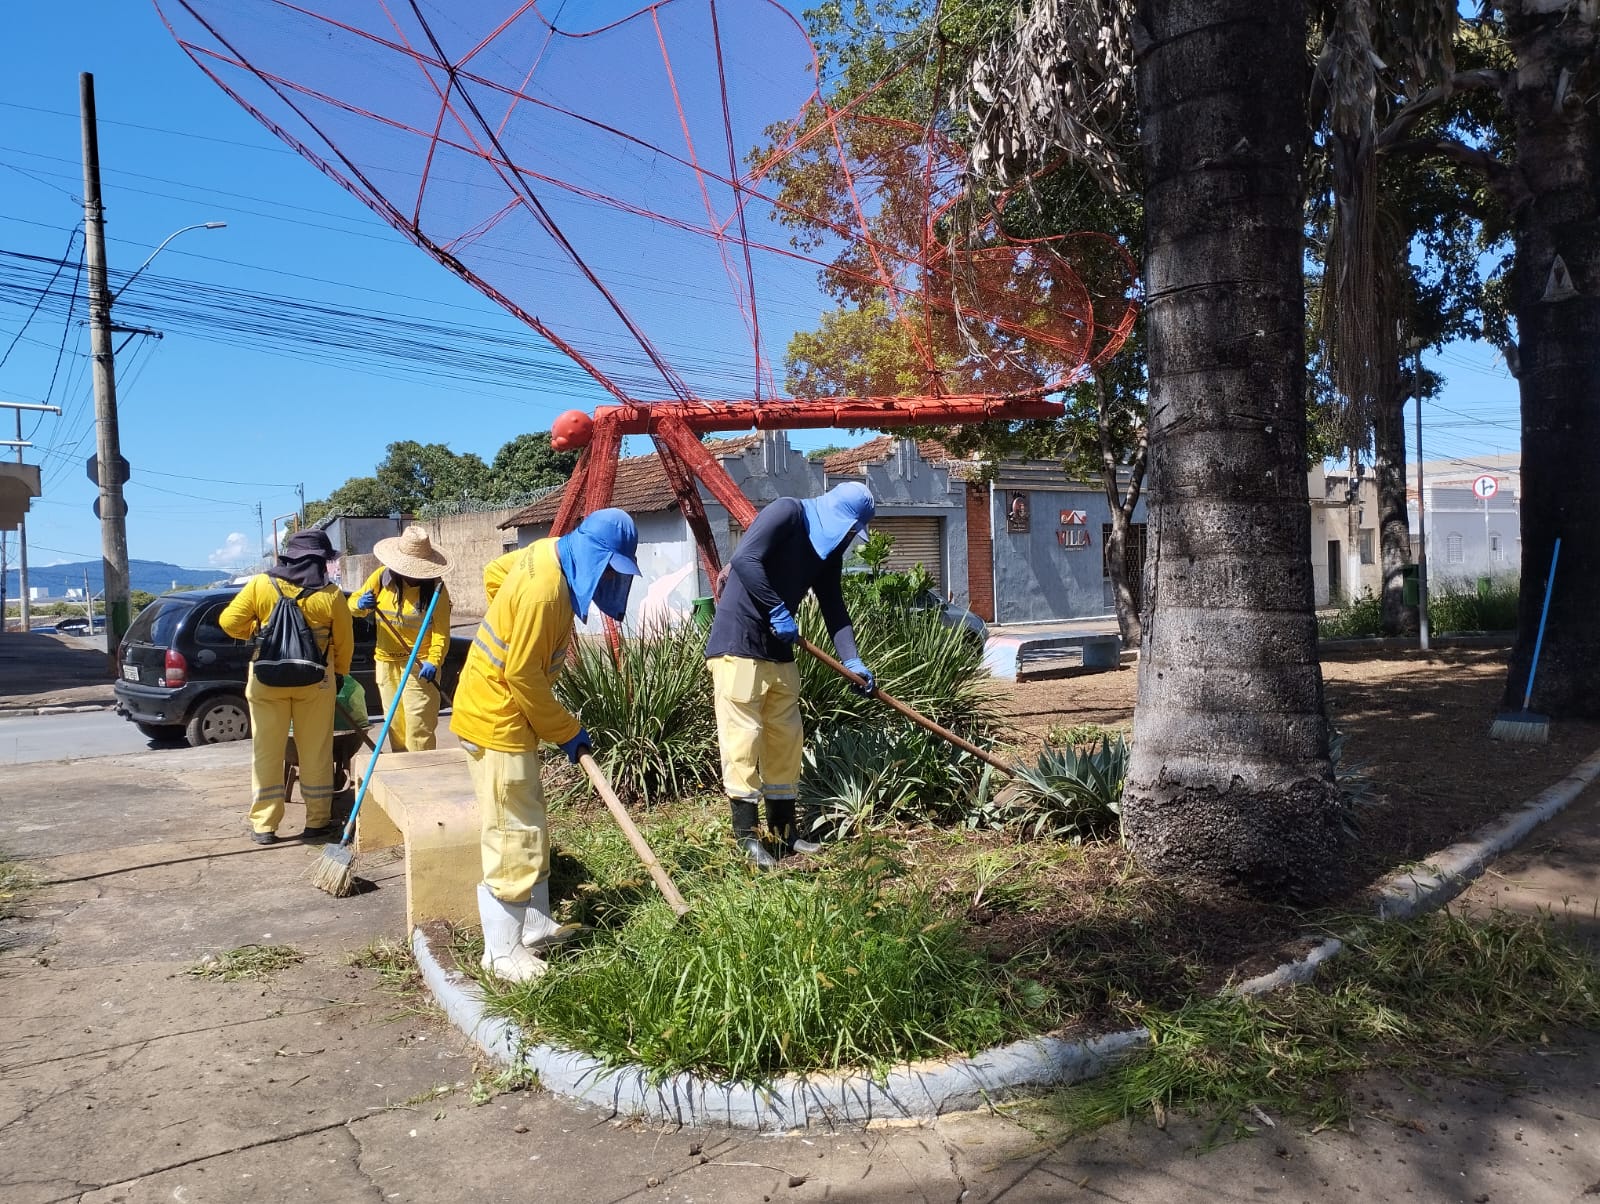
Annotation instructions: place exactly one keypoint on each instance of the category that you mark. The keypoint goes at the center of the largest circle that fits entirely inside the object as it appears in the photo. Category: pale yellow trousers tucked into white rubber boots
(511, 821)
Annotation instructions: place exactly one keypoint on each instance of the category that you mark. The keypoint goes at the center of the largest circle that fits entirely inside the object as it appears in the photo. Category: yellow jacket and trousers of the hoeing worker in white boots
(505, 707)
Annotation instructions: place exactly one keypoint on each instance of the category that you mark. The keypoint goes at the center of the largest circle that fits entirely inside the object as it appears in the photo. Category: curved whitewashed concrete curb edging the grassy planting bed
(935, 1088)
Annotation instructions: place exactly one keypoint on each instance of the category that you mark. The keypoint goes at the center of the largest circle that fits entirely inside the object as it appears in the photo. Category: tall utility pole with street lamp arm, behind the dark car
(108, 444)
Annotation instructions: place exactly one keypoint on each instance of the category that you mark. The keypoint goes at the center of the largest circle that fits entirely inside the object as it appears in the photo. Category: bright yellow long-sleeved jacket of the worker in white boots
(505, 699)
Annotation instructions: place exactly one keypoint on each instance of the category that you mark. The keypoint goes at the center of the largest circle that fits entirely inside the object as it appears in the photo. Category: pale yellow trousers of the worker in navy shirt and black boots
(758, 726)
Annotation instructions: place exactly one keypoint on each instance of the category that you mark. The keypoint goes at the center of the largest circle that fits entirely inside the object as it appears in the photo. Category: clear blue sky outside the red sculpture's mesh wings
(214, 427)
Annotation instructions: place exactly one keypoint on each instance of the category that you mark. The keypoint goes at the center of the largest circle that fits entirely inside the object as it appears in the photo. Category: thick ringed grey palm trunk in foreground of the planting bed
(1231, 784)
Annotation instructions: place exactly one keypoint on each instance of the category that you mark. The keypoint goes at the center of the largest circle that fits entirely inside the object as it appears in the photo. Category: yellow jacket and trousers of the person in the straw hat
(401, 612)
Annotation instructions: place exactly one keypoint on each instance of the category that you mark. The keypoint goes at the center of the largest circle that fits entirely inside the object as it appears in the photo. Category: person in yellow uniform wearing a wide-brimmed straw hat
(399, 593)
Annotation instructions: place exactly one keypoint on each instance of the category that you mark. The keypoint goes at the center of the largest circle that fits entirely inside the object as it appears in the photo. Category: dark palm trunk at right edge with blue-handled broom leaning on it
(1558, 132)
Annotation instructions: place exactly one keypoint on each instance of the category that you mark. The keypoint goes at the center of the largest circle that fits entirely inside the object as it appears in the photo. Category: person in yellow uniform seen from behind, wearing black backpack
(302, 576)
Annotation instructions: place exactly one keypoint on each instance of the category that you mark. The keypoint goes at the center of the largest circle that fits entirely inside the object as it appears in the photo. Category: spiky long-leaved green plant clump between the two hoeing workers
(650, 710)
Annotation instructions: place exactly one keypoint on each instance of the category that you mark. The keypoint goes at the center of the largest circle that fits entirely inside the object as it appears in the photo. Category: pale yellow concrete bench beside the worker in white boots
(425, 803)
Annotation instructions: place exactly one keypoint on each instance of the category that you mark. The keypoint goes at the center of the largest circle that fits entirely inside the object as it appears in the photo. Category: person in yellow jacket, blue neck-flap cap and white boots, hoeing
(505, 707)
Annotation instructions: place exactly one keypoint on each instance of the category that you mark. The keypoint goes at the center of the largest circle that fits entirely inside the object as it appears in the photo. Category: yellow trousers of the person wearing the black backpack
(273, 708)
